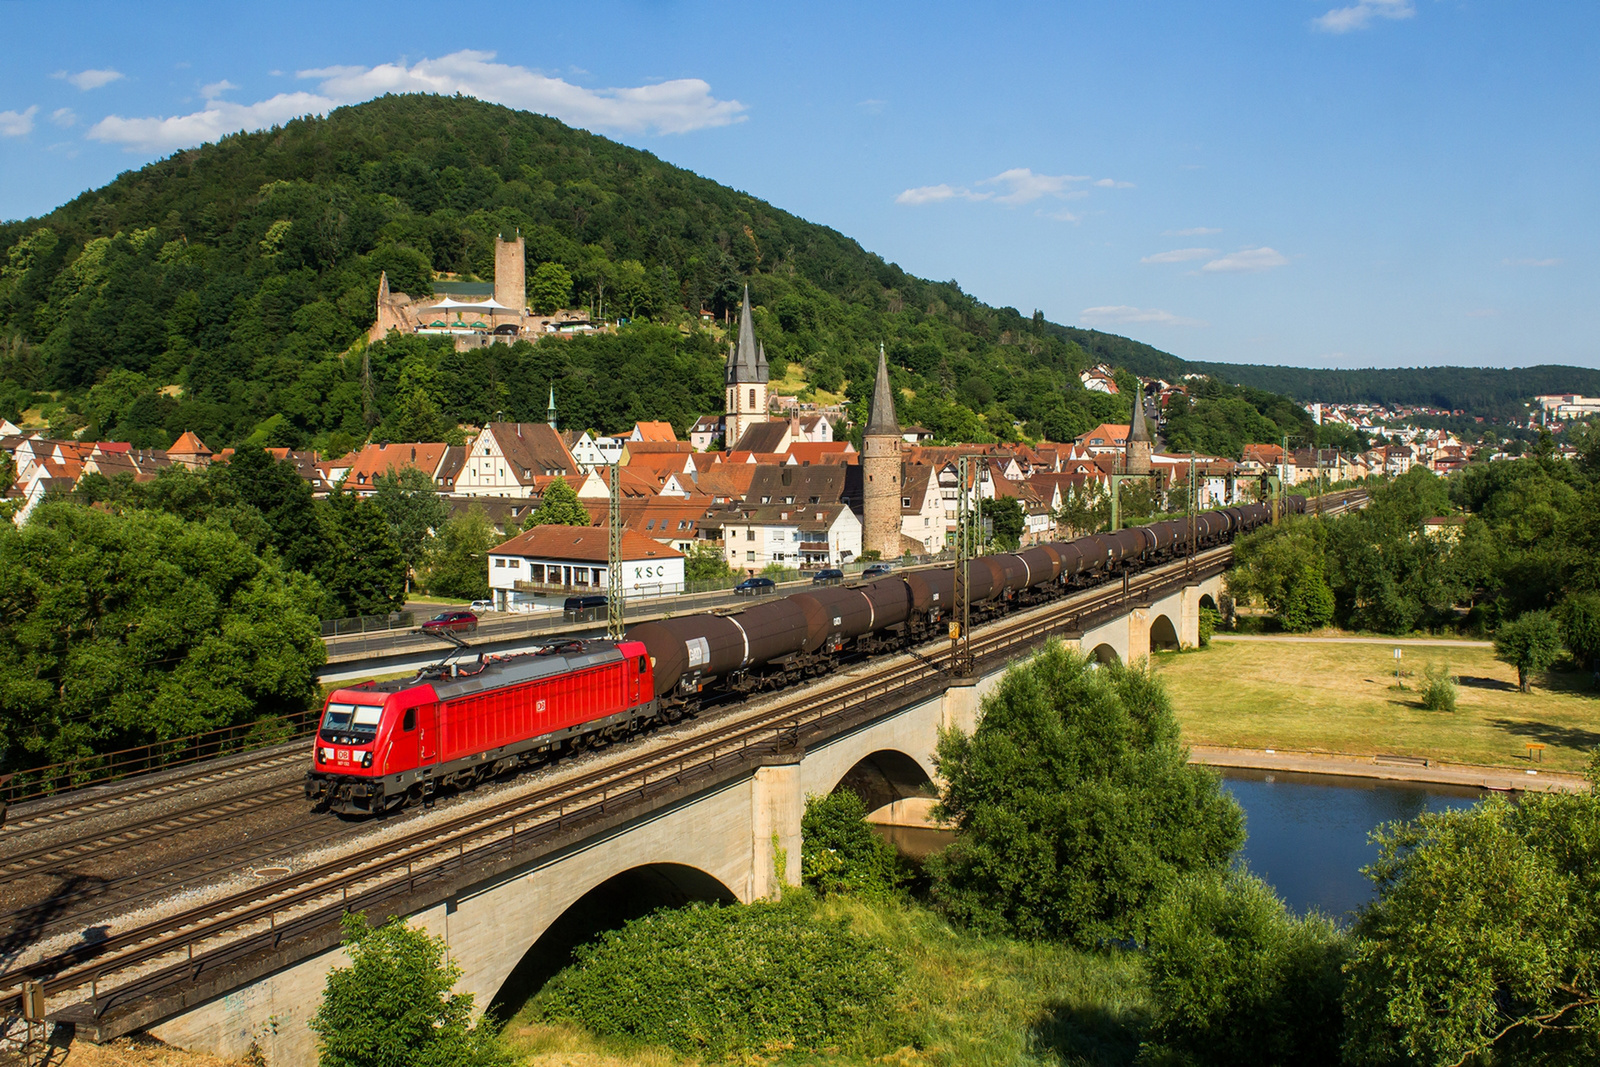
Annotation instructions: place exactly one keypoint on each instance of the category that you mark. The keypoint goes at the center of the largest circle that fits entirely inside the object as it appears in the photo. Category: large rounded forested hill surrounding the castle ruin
(228, 290)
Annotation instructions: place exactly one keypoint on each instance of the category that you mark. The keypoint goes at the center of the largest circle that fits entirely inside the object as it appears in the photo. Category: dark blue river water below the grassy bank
(1308, 833)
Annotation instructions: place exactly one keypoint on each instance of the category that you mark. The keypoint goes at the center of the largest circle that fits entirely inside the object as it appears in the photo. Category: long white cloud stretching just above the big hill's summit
(676, 106)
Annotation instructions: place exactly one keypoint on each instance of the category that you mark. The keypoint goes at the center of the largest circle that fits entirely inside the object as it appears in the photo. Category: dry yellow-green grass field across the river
(1340, 698)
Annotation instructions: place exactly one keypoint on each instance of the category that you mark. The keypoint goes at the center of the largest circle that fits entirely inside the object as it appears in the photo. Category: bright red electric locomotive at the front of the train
(385, 743)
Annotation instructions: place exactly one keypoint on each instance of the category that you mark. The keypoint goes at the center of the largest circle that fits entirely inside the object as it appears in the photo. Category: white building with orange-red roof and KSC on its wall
(540, 569)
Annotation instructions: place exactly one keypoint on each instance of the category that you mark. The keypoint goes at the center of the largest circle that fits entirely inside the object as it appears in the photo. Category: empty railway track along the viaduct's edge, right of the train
(238, 924)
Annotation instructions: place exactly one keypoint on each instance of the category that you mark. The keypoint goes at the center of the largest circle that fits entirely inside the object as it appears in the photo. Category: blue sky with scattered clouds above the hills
(1324, 183)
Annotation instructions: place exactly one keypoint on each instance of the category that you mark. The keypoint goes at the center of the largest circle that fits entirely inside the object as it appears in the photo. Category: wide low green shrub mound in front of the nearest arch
(727, 981)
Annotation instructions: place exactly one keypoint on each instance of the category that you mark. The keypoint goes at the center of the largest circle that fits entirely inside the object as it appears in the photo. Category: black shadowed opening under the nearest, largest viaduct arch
(617, 901)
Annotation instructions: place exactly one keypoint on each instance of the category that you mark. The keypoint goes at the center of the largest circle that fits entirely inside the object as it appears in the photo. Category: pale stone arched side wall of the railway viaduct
(737, 841)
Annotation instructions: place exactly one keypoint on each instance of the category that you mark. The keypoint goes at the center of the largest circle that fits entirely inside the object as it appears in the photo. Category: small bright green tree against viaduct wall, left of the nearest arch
(394, 1005)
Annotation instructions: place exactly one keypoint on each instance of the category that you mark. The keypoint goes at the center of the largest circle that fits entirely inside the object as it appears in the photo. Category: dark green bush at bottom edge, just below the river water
(1238, 980)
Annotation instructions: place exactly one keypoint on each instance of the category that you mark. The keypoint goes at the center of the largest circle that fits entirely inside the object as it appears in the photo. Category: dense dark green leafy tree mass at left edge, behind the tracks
(122, 629)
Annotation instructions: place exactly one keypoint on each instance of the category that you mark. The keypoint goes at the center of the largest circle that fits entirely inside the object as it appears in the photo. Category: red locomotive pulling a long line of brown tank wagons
(383, 745)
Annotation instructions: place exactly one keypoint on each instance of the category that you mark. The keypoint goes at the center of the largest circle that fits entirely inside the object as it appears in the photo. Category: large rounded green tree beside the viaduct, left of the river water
(1074, 805)
